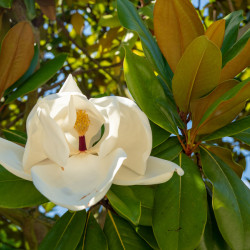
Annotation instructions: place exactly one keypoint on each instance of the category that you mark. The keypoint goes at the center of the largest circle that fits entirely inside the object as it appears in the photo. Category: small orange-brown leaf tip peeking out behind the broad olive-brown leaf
(216, 32)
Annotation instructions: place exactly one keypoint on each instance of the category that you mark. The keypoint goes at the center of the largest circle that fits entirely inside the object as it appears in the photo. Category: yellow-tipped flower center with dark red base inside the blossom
(81, 126)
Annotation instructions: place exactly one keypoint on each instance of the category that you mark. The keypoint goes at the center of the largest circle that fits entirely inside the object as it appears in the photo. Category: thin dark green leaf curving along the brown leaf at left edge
(27, 74)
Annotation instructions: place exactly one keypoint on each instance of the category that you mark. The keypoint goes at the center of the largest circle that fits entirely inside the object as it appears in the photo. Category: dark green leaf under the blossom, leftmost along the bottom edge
(66, 233)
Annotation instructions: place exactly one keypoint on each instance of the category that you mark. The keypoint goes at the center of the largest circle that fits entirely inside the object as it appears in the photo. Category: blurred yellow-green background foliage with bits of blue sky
(90, 33)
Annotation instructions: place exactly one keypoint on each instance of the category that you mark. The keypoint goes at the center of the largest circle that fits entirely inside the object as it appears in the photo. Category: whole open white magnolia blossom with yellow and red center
(77, 148)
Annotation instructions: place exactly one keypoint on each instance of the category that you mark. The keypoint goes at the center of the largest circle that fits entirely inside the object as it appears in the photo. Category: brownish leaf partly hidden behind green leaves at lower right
(226, 155)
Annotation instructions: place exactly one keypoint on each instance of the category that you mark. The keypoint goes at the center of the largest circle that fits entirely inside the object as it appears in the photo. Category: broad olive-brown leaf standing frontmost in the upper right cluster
(197, 72)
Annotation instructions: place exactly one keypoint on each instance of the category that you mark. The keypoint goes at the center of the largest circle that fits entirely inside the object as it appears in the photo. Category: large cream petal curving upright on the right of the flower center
(128, 128)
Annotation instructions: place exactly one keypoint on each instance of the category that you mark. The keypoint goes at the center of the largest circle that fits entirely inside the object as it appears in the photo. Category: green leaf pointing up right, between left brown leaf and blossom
(41, 76)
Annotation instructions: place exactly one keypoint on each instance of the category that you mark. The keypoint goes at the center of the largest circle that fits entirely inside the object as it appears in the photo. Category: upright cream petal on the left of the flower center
(45, 139)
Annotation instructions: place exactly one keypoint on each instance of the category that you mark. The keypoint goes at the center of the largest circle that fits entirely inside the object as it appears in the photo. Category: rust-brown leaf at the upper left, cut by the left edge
(16, 54)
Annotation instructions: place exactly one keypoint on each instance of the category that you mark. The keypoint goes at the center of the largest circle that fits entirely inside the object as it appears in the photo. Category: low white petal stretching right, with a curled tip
(158, 171)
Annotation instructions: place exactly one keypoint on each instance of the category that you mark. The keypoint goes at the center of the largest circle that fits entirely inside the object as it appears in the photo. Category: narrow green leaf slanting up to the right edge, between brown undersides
(228, 95)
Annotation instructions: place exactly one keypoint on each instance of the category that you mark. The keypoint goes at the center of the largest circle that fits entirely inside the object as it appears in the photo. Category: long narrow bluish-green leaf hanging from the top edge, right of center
(130, 19)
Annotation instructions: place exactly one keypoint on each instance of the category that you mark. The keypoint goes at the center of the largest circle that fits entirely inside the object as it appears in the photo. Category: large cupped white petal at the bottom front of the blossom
(81, 183)
